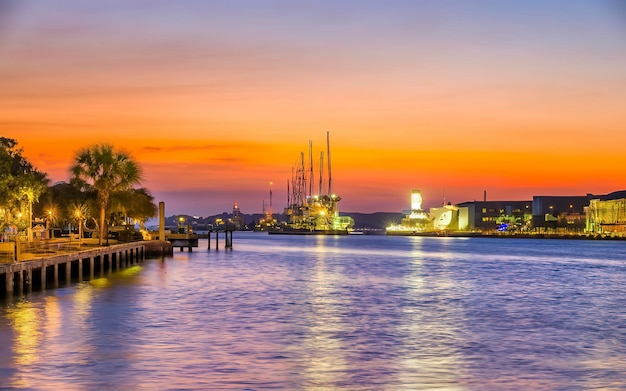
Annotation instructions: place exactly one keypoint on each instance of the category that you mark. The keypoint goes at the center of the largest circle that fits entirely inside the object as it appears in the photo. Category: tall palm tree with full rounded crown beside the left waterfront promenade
(105, 171)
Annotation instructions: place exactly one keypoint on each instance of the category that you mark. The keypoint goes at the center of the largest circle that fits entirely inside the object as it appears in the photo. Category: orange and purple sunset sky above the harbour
(217, 100)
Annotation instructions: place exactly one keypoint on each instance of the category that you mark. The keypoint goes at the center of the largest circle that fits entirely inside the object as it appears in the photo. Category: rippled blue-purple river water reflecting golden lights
(333, 313)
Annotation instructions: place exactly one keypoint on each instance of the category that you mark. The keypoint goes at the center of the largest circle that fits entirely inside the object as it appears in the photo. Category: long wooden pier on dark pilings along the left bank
(39, 273)
